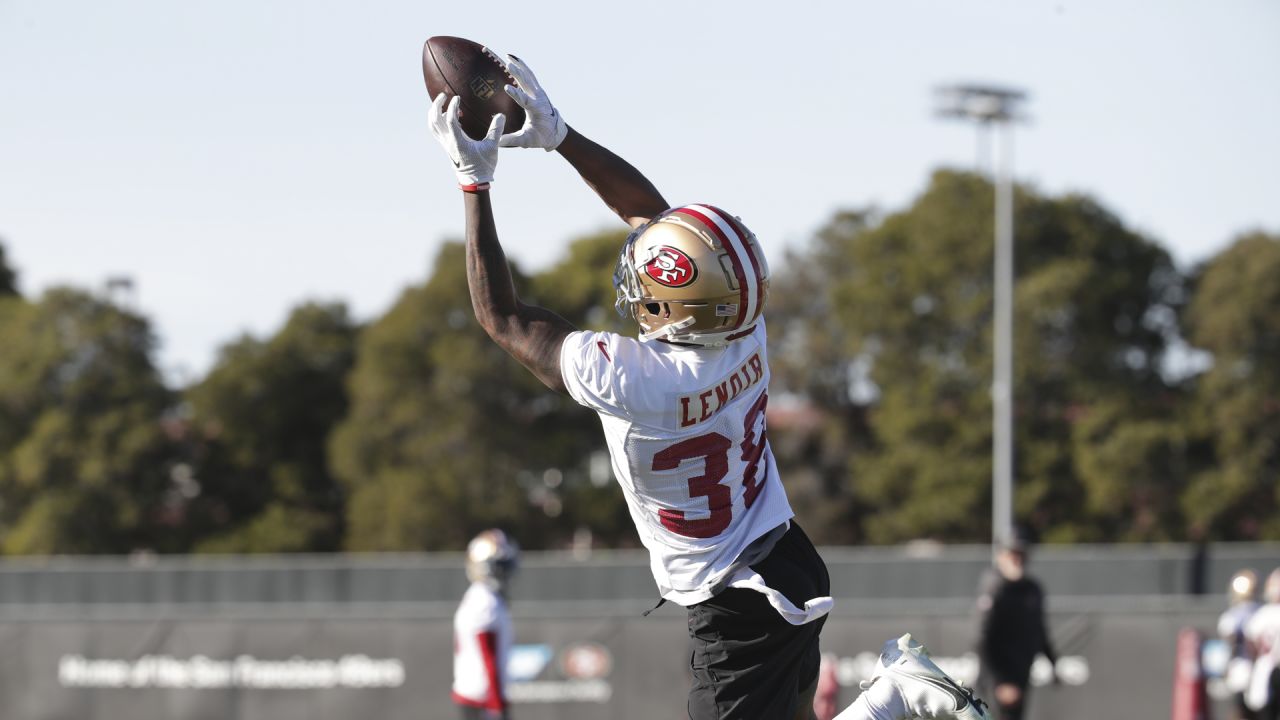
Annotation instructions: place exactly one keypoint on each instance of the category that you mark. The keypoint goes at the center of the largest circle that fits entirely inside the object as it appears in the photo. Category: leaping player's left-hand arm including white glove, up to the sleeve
(532, 335)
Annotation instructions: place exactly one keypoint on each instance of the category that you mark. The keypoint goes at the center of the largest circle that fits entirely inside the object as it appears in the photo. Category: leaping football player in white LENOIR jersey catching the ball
(683, 409)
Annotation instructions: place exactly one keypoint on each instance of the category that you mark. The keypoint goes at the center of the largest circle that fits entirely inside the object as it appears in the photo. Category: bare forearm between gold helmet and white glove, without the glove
(623, 188)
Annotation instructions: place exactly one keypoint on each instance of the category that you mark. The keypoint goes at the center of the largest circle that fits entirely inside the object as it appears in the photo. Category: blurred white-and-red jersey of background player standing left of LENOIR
(482, 610)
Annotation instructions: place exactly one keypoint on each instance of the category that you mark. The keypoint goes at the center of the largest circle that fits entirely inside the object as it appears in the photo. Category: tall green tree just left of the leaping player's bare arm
(433, 445)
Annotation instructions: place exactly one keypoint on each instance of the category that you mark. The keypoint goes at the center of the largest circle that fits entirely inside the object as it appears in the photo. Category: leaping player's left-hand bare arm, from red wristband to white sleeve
(532, 335)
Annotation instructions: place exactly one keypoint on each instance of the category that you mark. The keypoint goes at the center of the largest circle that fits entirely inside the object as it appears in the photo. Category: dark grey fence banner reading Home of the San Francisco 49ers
(1112, 666)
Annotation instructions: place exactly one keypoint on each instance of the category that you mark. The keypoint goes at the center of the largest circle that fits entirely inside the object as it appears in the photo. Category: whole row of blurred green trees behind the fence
(1148, 400)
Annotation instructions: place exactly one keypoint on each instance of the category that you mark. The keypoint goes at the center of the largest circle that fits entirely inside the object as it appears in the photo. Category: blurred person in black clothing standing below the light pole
(1012, 628)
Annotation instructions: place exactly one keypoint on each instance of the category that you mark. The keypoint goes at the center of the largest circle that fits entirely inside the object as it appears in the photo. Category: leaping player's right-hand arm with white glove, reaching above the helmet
(623, 188)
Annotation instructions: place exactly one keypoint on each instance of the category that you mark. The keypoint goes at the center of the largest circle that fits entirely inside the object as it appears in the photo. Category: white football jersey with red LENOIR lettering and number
(687, 436)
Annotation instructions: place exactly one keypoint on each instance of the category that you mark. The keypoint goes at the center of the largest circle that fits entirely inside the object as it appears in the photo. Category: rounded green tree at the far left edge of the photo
(84, 459)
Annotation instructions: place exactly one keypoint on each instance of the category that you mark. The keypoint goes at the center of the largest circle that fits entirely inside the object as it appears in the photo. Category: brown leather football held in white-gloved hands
(455, 66)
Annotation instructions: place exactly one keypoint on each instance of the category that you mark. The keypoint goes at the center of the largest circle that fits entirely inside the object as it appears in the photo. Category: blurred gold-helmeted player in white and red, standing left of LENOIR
(482, 630)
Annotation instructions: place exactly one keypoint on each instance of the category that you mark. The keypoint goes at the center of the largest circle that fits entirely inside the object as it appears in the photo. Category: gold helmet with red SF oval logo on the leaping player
(693, 275)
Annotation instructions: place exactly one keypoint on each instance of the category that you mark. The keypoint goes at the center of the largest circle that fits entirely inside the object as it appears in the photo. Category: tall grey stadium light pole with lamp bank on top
(996, 108)
